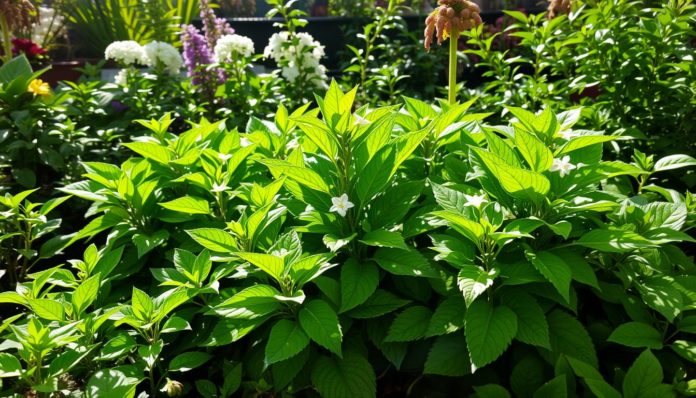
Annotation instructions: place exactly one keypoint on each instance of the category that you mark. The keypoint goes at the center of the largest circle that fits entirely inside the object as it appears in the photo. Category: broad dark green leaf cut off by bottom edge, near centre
(349, 377)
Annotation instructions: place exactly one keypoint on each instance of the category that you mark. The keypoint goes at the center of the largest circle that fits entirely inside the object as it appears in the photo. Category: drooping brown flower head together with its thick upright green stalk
(447, 21)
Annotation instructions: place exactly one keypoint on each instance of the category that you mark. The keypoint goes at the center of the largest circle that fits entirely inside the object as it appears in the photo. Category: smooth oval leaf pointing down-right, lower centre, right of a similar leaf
(320, 323)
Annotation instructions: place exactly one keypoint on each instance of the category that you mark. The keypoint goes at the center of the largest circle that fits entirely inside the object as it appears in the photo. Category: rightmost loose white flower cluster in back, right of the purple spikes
(295, 58)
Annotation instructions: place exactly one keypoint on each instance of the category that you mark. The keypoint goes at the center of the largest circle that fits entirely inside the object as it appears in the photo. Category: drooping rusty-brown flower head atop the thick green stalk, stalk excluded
(450, 18)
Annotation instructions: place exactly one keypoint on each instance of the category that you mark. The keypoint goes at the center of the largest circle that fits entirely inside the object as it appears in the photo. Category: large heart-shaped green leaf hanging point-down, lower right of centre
(489, 330)
